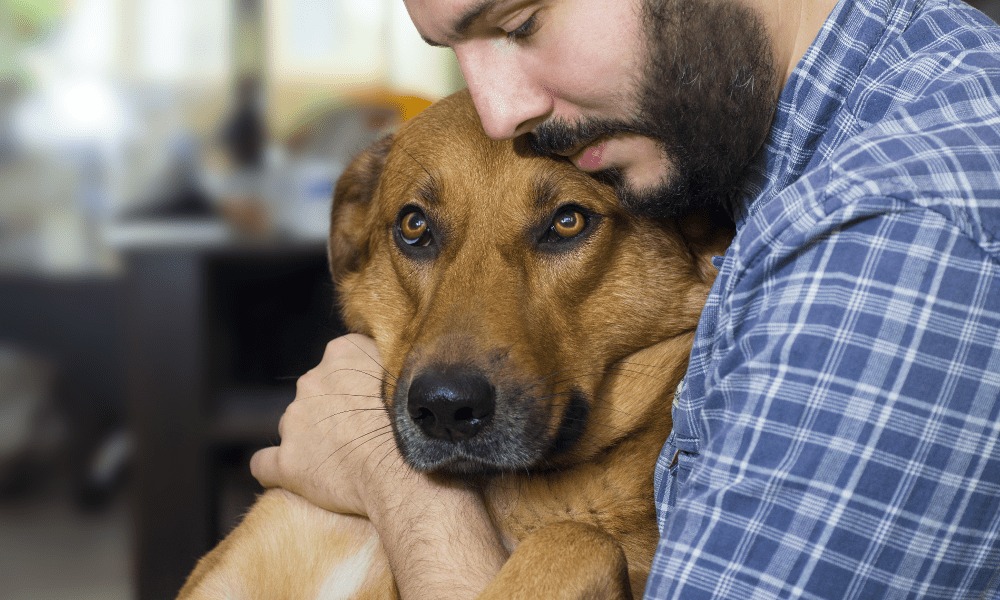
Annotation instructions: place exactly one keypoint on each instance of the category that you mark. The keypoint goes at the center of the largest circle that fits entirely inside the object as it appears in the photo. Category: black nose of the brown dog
(450, 403)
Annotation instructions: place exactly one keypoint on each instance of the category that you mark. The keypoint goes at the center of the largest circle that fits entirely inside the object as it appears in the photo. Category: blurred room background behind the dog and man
(165, 175)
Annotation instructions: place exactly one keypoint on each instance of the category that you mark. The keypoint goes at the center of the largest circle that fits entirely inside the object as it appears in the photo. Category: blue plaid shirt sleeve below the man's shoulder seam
(851, 423)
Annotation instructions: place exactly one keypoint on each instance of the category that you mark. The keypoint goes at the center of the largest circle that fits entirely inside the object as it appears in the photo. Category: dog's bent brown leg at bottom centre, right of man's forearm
(564, 560)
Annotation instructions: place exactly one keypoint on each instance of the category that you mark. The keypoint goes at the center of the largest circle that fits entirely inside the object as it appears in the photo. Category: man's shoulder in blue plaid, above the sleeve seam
(920, 131)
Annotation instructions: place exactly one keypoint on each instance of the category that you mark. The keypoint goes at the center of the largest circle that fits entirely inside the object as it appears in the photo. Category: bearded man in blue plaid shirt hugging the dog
(838, 432)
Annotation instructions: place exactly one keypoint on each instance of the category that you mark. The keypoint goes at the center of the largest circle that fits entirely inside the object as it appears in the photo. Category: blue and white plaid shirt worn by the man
(838, 432)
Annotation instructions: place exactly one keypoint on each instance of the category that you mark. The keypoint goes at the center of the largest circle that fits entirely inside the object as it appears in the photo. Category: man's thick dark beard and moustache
(707, 95)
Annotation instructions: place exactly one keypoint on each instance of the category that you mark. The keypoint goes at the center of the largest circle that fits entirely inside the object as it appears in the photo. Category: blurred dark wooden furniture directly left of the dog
(216, 335)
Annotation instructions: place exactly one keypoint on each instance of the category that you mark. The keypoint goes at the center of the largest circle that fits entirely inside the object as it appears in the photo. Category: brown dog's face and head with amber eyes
(501, 288)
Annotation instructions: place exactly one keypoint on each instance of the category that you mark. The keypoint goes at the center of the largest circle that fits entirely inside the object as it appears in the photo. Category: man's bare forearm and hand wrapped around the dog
(337, 451)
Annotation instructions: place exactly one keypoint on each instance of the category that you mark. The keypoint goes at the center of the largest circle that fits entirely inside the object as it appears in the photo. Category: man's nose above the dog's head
(510, 101)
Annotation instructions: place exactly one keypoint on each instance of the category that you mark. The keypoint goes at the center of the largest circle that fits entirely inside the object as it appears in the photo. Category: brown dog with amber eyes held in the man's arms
(529, 327)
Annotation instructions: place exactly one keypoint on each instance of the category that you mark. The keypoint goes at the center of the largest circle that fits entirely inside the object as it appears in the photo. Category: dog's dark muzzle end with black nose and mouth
(455, 420)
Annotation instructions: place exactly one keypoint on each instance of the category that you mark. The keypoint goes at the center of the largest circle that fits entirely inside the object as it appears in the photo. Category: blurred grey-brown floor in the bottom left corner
(51, 550)
